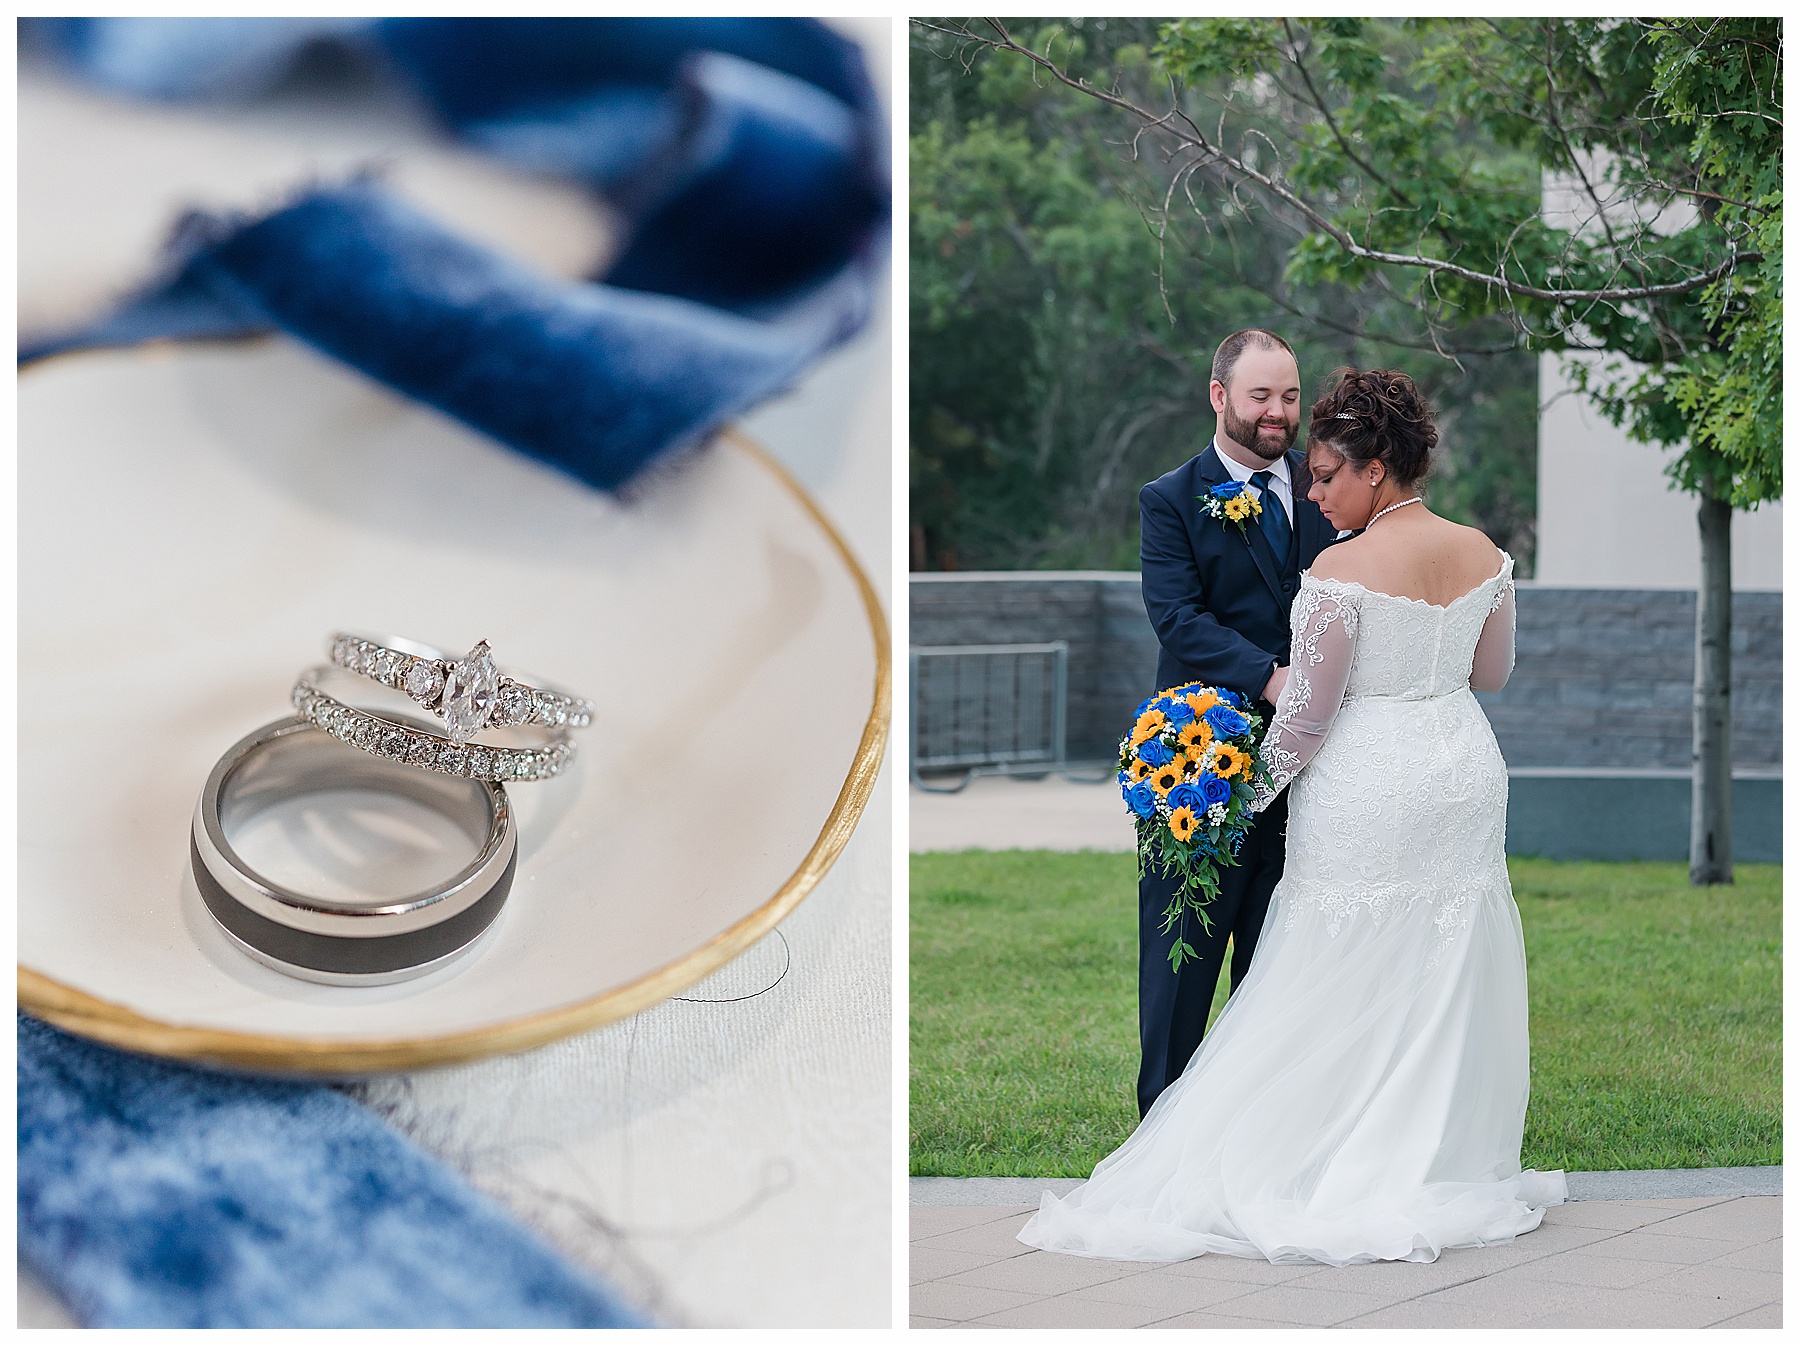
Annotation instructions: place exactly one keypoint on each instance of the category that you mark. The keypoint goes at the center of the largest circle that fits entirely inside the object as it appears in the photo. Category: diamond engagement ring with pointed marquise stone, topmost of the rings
(467, 694)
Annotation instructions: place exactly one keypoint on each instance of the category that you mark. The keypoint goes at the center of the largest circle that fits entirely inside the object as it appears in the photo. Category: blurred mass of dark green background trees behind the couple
(1063, 348)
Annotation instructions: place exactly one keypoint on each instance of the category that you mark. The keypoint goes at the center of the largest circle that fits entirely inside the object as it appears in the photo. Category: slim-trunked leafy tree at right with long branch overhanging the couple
(1669, 138)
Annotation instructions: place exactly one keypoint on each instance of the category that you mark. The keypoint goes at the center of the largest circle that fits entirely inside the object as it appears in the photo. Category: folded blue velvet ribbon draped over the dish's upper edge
(744, 154)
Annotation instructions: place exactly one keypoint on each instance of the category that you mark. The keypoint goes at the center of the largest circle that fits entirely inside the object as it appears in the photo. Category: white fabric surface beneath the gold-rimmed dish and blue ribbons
(724, 1163)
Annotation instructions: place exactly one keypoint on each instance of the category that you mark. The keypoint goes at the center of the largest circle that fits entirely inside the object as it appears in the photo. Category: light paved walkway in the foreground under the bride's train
(1704, 1252)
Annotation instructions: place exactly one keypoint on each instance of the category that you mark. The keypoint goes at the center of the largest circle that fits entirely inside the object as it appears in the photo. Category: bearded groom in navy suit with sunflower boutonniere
(1219, 602)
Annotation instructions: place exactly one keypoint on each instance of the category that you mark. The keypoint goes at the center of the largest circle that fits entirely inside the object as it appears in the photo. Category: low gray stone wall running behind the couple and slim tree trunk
(1603, 681)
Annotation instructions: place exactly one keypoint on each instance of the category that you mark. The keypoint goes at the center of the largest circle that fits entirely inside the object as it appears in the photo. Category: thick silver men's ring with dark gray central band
(328, 940)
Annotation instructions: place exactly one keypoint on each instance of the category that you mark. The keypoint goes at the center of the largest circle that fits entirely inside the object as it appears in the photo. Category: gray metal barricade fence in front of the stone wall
(989, 710)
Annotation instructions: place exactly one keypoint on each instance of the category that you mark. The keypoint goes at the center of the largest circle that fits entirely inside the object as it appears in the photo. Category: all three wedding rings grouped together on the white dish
(339, 740)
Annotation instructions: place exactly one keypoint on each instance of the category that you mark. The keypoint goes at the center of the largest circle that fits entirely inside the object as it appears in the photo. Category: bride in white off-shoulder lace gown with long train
(1363, 1091)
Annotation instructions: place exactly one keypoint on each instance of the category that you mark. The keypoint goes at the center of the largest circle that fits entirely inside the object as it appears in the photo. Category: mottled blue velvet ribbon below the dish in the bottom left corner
(154, 1194)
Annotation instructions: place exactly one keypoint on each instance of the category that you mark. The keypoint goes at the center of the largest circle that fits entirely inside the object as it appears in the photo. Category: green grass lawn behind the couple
(1655, 1014)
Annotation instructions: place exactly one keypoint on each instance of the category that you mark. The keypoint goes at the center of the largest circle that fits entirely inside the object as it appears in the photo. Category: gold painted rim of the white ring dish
(114, 1025)
